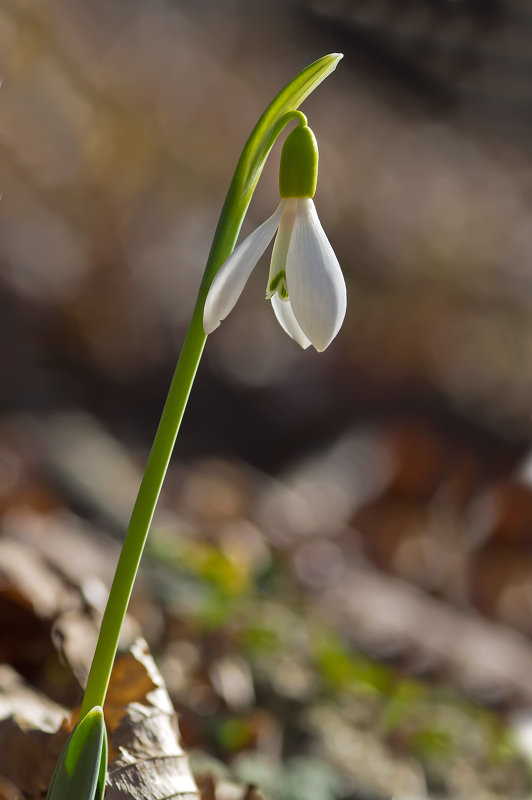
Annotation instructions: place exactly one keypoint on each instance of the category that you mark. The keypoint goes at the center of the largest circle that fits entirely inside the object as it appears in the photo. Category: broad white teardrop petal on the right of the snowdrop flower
(315, 282)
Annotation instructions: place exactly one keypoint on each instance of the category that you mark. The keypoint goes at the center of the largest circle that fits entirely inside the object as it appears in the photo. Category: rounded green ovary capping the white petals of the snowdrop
(298, 171)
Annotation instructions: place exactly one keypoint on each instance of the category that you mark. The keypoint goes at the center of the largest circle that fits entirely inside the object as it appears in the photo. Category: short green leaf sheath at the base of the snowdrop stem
(81, 769)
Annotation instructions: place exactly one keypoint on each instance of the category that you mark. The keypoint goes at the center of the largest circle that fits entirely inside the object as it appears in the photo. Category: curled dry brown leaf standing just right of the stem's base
(146, 758)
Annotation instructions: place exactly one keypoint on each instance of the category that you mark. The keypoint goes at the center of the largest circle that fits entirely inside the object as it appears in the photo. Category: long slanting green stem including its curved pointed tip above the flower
(279, 113)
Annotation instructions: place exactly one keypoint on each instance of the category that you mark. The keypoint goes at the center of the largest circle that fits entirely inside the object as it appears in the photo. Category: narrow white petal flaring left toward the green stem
(232, 276)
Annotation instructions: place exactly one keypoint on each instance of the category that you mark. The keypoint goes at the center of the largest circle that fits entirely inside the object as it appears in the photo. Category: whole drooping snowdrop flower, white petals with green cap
(305, 285)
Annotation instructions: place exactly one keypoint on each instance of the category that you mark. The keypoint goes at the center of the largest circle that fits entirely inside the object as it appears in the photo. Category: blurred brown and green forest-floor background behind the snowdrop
(338, 588)
